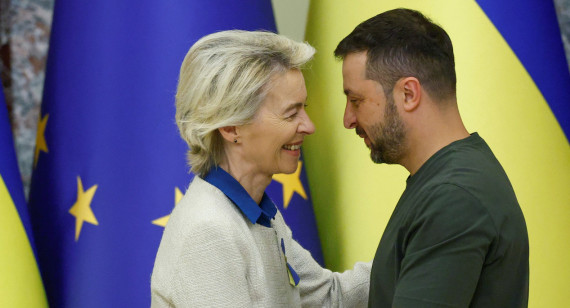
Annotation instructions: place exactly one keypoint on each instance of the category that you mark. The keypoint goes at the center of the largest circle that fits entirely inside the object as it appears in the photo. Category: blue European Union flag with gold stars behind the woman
(109, 163)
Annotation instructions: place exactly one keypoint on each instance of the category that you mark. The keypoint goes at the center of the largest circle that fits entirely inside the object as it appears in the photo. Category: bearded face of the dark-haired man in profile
(371, 113)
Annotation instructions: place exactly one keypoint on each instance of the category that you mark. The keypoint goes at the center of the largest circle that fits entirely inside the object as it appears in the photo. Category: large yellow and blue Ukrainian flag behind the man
(513, 88)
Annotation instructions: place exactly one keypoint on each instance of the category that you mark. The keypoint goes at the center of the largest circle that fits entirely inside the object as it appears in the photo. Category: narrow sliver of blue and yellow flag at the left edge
(20, 282)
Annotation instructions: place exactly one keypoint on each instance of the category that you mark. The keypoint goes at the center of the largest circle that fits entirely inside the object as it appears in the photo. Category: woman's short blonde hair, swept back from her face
(224, 78)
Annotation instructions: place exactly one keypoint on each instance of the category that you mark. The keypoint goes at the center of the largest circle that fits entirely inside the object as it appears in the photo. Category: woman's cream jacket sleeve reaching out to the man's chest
(320, 287)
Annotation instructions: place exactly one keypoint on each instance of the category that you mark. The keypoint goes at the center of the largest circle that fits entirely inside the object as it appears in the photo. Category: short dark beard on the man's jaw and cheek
(387, 140)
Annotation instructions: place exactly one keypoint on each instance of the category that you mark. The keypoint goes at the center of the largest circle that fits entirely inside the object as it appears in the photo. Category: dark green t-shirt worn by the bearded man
(457, 237)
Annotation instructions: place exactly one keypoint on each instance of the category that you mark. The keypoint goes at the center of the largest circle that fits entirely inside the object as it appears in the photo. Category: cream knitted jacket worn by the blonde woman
(210, 255)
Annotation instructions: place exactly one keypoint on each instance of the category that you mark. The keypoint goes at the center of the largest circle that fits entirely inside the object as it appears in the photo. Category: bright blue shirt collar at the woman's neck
(261, 214)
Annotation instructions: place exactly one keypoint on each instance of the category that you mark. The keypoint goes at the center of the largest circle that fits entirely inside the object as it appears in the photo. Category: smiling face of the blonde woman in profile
(272, 142)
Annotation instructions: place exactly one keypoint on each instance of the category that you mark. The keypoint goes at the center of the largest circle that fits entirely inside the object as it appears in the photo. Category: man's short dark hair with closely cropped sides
(404, 43)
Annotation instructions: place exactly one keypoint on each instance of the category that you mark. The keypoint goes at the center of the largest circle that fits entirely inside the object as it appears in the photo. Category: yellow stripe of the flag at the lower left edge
(20, 282)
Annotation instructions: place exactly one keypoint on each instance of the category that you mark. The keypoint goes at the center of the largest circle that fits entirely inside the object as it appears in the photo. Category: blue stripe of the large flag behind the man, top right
(530, 28)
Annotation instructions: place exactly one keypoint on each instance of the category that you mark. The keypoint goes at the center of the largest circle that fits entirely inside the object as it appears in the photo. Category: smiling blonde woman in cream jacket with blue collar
(240, 106)
